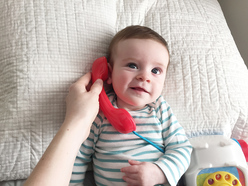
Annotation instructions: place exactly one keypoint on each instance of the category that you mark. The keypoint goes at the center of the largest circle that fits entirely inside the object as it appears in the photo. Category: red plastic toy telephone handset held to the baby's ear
(121, 120)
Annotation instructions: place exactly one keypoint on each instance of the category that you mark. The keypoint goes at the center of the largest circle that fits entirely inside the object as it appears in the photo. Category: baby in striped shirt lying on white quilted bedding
(138, 61)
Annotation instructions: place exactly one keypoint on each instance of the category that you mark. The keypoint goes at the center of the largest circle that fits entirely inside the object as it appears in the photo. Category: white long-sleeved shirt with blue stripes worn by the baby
(111, 150)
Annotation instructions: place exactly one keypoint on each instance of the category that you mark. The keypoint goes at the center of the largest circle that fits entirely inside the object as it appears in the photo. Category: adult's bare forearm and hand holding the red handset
(55, 166)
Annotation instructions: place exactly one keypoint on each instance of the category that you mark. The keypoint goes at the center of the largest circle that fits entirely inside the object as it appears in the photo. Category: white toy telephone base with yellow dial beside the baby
(216, 160)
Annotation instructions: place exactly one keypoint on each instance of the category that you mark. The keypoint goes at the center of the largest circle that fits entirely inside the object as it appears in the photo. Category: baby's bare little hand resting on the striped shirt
(143, 174)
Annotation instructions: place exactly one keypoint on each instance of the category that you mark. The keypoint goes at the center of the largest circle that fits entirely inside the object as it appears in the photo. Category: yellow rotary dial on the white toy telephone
(221, 178)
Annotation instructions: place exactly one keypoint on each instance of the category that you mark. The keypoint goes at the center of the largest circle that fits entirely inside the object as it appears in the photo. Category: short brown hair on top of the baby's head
(134, 32)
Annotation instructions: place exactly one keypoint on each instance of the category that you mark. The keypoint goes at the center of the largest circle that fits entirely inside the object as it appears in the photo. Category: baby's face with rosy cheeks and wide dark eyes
(138, 73)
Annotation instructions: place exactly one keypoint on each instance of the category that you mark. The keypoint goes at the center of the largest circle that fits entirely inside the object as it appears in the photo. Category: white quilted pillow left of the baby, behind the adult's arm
(45, 46)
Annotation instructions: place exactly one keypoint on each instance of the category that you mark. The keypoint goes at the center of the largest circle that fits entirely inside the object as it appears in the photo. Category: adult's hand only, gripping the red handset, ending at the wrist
(82, 103)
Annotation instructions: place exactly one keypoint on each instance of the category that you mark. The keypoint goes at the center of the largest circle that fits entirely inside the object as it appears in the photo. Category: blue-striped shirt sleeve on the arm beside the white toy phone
(176, 158)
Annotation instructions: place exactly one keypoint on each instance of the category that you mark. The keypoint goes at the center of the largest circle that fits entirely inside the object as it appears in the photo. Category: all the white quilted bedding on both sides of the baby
(47, 45)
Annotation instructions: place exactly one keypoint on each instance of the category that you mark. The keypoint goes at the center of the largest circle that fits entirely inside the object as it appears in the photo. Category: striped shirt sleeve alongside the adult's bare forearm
(84, 155)
